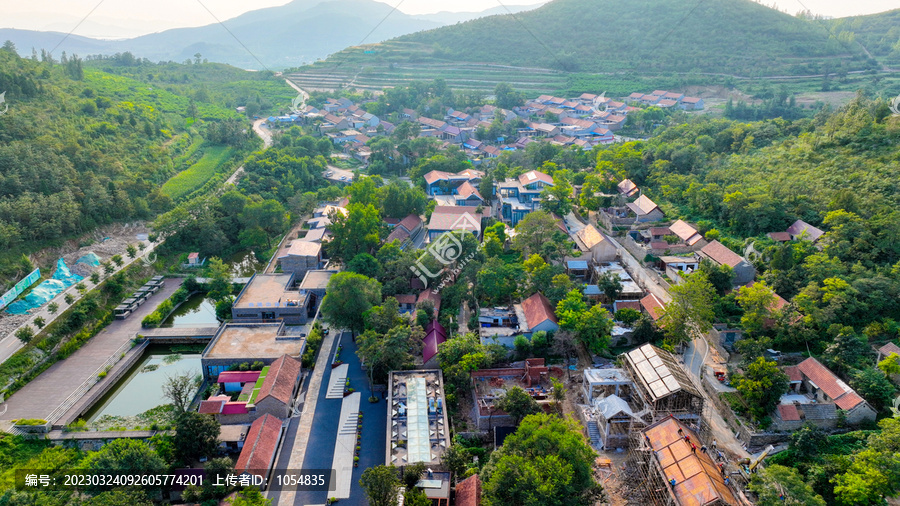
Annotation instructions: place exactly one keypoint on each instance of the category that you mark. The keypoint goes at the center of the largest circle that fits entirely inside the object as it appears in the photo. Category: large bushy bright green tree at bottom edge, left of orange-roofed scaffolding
(545, 462)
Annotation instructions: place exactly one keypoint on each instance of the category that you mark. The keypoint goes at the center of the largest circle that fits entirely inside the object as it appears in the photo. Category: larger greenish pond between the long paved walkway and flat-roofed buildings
(142, 387)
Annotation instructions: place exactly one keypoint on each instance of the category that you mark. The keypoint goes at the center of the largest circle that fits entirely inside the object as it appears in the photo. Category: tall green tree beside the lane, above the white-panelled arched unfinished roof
(690, 313)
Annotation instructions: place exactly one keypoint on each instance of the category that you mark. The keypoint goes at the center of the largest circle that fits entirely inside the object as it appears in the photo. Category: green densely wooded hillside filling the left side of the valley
(81, 147)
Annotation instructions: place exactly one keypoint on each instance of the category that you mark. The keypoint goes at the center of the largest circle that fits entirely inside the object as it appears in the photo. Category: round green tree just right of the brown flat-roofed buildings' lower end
(347, 297)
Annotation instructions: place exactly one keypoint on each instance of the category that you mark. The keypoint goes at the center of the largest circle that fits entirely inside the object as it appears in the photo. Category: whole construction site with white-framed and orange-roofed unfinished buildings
(650, 419)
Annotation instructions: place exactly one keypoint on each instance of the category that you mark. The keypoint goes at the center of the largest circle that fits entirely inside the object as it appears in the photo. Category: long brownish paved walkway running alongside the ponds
(42, 395)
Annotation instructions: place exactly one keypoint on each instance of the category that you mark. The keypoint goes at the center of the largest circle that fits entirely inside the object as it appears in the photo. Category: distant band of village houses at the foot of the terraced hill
(585, 121)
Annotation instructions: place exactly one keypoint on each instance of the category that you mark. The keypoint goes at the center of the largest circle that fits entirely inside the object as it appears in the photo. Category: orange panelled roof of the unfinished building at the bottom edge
(697, 479)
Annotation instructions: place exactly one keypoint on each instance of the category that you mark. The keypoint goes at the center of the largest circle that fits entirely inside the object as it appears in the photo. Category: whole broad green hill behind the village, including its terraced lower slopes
(616, 38)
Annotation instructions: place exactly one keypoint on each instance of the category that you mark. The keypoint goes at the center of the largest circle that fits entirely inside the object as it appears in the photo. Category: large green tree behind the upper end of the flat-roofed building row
(357, 232)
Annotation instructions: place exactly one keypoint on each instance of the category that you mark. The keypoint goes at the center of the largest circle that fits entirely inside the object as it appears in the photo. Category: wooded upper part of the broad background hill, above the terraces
(732, 36)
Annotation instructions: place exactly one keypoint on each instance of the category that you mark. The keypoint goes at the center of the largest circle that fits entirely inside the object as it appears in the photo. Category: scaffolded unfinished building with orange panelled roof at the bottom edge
(669, 465)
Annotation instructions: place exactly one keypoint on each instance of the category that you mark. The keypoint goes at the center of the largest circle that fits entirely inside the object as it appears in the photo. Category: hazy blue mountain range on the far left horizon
(291, 35)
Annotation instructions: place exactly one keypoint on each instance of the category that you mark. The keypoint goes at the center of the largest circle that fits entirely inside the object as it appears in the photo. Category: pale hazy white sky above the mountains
(130, 18)
